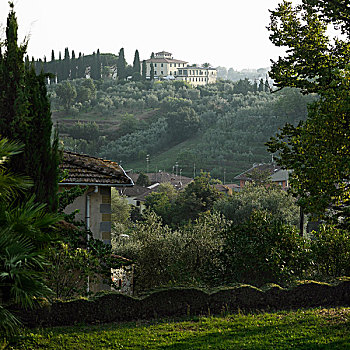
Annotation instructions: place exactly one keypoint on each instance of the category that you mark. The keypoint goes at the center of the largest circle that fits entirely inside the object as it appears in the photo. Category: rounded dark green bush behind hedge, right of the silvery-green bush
(263, 249)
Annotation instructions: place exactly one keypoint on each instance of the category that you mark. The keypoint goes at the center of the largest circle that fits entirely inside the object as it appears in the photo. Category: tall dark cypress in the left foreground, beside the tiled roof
(26, 117)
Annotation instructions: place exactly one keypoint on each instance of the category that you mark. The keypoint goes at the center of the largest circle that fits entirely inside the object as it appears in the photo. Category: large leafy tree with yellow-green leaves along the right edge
(318, 150)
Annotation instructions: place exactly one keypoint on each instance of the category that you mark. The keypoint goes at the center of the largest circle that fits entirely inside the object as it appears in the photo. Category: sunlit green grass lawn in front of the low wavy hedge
(302, 329)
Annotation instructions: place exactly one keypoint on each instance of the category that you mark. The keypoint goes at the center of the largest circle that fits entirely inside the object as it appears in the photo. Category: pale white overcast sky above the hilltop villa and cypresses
(229, 33)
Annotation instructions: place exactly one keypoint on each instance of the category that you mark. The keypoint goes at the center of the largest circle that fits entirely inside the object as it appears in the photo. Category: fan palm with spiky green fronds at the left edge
(23, 233)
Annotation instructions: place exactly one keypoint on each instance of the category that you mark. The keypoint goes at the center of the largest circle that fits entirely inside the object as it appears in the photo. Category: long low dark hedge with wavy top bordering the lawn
(115, 307)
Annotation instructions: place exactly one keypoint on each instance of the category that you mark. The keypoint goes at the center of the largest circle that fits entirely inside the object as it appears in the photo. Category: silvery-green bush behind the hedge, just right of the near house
(163, 257)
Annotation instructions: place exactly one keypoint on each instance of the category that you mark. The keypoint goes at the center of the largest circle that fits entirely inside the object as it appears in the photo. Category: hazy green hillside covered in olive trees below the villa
(219, 128)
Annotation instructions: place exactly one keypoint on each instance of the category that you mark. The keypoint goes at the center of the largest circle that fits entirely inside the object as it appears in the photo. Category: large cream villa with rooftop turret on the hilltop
(166, 67)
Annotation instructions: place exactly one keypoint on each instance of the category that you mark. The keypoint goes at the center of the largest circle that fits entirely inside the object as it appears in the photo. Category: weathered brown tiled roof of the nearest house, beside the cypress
(84, 169)
